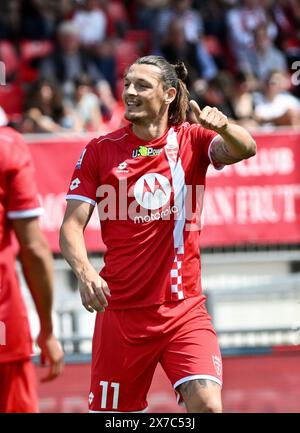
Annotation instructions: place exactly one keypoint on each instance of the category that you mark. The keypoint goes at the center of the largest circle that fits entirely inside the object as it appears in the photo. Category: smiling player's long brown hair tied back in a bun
(172, 76)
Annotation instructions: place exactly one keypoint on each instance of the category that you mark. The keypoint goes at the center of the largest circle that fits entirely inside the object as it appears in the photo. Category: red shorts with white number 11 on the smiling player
(128, 345)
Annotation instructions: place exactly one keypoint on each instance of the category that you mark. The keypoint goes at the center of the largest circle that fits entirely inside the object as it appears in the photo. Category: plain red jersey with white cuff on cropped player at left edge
(18, 199)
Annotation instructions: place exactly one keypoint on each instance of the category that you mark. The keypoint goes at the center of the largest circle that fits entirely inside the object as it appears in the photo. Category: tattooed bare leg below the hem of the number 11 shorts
(201, 396)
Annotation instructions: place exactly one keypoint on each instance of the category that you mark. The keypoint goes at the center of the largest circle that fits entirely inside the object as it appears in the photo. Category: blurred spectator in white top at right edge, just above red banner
(278, 106)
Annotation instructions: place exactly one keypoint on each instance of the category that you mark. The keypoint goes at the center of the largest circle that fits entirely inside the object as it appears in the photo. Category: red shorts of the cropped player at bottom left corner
(18, 390)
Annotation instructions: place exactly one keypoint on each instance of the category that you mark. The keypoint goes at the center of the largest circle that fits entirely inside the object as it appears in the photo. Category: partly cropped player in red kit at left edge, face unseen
(19, 212)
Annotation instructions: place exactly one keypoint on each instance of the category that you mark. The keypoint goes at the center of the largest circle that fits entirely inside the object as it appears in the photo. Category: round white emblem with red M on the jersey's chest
(152, 191)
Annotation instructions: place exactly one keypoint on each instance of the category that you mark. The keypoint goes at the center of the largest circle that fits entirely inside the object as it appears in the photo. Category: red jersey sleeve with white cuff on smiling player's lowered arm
(86, 178)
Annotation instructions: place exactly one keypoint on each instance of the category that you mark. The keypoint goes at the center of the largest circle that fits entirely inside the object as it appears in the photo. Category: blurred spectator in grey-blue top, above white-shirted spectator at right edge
(263, 57)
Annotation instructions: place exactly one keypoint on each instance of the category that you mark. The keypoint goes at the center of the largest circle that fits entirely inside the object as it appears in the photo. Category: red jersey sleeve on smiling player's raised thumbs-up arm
(204, 138)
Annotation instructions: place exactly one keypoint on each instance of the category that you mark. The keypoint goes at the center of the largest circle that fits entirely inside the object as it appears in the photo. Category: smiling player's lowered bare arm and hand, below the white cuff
(93, 289)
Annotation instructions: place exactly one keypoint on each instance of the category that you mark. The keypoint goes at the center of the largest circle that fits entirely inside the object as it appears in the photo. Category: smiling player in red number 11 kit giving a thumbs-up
(144, 179)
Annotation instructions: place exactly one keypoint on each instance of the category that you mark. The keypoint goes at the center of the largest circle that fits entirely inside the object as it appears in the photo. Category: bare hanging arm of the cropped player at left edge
(36, 261)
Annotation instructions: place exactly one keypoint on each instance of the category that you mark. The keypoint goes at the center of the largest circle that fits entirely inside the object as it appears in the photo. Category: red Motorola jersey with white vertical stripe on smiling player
(149, 201)
